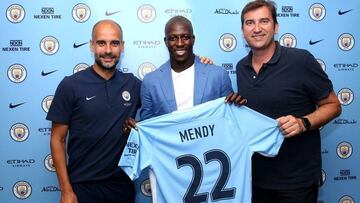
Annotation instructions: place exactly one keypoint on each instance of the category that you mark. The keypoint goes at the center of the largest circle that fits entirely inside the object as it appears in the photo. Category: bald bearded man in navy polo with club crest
(91, 106)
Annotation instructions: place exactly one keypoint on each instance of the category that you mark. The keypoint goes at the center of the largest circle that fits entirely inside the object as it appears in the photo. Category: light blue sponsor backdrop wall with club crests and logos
(42, 41)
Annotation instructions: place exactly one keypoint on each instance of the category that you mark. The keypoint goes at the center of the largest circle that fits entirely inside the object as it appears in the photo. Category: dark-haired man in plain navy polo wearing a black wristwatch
(289, 85)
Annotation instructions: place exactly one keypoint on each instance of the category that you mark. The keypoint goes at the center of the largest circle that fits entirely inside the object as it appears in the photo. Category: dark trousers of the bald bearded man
(109, 191)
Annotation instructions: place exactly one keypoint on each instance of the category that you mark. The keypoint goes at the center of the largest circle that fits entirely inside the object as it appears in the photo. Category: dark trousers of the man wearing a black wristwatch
(302, 195)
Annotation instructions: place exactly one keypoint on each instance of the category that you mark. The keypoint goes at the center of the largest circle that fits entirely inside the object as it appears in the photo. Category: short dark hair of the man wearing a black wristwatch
(271, 5)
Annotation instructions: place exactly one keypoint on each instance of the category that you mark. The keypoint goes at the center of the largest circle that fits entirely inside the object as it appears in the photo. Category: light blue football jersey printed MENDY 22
(202, 154)
